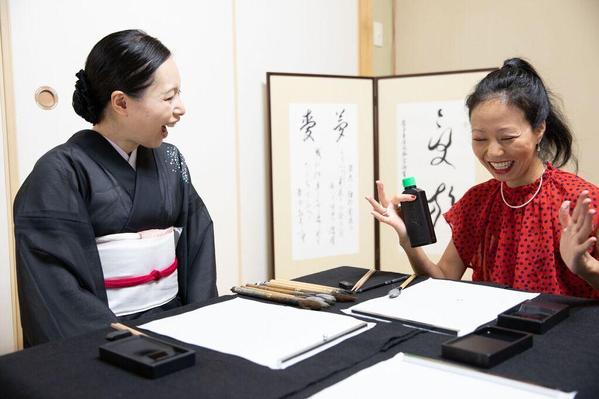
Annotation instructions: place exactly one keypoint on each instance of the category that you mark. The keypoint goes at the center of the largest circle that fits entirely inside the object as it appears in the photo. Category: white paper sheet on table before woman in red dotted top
(447, 304)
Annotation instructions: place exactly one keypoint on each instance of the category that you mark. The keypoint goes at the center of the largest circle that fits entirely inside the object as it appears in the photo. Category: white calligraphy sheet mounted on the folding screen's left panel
(324, 158)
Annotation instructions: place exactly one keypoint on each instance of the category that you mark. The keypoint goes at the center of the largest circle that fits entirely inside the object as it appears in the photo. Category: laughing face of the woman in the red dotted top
(505, 143)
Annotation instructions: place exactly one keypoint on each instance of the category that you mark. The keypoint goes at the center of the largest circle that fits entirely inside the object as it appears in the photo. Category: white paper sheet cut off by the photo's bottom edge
(415, 375)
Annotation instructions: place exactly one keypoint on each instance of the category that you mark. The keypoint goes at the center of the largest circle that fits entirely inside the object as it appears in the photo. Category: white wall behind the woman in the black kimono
(223, 50)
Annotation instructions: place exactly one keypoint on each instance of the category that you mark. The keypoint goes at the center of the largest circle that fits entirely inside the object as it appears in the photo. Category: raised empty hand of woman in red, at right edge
(576, 237)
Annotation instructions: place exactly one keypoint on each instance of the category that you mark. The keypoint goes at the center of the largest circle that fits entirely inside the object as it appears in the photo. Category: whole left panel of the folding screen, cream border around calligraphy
(322, 166)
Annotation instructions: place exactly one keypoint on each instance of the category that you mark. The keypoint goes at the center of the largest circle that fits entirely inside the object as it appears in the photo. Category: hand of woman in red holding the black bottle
(388, 211)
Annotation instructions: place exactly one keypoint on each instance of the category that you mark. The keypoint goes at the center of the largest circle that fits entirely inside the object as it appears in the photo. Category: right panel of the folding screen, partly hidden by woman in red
(424, 132)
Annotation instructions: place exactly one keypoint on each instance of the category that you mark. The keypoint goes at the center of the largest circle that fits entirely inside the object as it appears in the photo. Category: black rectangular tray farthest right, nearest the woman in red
(533, 316)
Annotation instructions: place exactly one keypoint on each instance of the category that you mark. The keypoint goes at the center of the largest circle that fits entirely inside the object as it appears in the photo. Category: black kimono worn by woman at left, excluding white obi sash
(84, 189)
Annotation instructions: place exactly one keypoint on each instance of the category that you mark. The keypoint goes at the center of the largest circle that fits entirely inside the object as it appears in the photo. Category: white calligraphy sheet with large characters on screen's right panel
(433, 140)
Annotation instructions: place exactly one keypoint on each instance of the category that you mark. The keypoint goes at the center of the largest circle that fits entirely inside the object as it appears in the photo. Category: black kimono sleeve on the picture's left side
(59, 275)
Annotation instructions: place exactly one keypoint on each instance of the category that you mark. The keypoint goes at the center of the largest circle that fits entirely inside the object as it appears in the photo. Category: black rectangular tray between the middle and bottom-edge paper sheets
(486, 346)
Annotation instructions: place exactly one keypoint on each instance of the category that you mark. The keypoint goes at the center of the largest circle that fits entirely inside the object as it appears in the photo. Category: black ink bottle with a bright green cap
(417, 216)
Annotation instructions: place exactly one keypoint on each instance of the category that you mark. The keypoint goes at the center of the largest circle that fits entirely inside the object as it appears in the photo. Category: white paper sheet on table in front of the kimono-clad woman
(271, 335)
